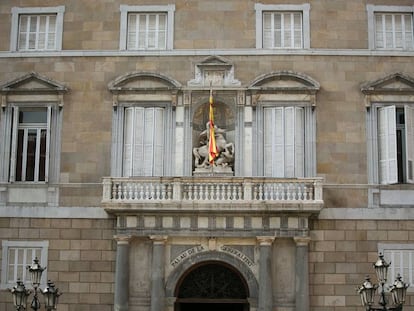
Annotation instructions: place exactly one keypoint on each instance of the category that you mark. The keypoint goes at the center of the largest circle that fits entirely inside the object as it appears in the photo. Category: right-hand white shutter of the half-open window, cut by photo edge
(409, 142)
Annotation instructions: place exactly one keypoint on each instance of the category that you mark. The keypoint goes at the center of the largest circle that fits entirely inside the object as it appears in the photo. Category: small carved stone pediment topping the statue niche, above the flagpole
(214, 71)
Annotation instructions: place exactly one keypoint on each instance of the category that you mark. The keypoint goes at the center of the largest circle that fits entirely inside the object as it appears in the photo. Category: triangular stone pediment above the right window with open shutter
(396, 83)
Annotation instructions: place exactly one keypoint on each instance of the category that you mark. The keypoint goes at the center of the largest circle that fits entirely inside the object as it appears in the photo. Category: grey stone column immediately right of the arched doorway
(265, 302)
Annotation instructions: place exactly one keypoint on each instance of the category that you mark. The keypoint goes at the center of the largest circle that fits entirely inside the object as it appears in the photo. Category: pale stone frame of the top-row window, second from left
(127, 9)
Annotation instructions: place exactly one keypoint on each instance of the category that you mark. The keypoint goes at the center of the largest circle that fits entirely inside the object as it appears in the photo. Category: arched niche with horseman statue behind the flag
(224, 162)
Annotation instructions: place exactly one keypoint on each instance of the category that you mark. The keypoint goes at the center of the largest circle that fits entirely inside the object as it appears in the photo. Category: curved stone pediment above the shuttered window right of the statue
(284, 81)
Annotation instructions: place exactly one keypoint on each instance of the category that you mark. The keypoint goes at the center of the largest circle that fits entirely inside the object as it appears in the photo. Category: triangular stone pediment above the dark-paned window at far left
(32, 83)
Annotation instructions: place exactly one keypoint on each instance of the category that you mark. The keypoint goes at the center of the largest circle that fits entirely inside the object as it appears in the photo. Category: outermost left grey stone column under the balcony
(122, 273)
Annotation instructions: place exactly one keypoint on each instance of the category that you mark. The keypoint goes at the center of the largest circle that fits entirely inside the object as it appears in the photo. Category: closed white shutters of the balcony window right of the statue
(283, 141)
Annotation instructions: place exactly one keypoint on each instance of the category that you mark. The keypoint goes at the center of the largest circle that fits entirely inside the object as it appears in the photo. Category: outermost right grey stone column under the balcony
(302, 273)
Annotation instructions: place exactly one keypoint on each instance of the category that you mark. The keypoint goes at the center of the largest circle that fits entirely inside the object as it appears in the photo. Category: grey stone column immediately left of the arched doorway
(157, 273)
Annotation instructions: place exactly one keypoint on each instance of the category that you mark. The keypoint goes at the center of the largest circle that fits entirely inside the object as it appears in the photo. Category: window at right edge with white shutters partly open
(395, 144)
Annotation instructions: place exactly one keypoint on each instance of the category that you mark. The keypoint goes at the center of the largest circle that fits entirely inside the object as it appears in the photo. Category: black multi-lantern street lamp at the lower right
(367, 290)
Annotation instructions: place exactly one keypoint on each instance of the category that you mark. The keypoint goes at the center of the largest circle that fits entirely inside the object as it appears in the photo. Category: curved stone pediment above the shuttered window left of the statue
(142, 81)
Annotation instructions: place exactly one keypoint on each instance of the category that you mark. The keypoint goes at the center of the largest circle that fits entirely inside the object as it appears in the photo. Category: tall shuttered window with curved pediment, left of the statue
(143, 131)
